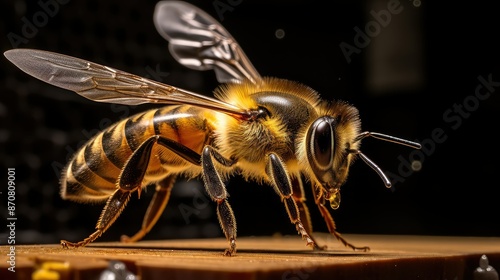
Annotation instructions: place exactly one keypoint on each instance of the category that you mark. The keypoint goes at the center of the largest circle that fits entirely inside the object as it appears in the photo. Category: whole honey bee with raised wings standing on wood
(269, 130)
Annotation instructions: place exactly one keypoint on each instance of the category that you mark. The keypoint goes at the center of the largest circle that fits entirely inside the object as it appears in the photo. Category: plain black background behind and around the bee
(404, 80)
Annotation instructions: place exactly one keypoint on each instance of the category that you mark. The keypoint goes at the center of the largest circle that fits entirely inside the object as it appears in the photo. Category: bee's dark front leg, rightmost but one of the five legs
(275, 169)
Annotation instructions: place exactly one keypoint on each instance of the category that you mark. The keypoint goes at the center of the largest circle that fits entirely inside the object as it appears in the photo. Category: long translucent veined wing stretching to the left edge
(104, 84)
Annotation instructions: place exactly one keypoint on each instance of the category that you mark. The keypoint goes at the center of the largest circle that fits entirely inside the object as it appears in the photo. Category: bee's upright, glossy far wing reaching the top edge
(199, 42)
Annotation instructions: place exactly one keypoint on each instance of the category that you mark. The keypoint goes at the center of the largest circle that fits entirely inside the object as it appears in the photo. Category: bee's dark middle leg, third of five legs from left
(217, 191)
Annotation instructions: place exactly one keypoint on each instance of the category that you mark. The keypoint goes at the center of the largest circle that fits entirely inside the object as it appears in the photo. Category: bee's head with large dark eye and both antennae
(332, 142)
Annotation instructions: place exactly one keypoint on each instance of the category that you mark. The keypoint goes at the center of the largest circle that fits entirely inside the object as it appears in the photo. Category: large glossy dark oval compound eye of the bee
(321, 140)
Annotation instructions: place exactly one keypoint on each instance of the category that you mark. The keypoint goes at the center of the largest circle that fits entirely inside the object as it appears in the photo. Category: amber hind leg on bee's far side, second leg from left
(155, 208)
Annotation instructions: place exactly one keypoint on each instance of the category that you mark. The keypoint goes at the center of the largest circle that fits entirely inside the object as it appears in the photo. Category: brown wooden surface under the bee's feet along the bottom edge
(391, 257)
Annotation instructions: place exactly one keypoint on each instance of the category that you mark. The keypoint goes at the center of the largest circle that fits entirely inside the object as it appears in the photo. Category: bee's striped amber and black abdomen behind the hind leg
(93, 172)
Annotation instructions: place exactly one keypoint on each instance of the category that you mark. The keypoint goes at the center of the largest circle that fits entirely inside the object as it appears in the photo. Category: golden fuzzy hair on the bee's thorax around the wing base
(251, 141)
